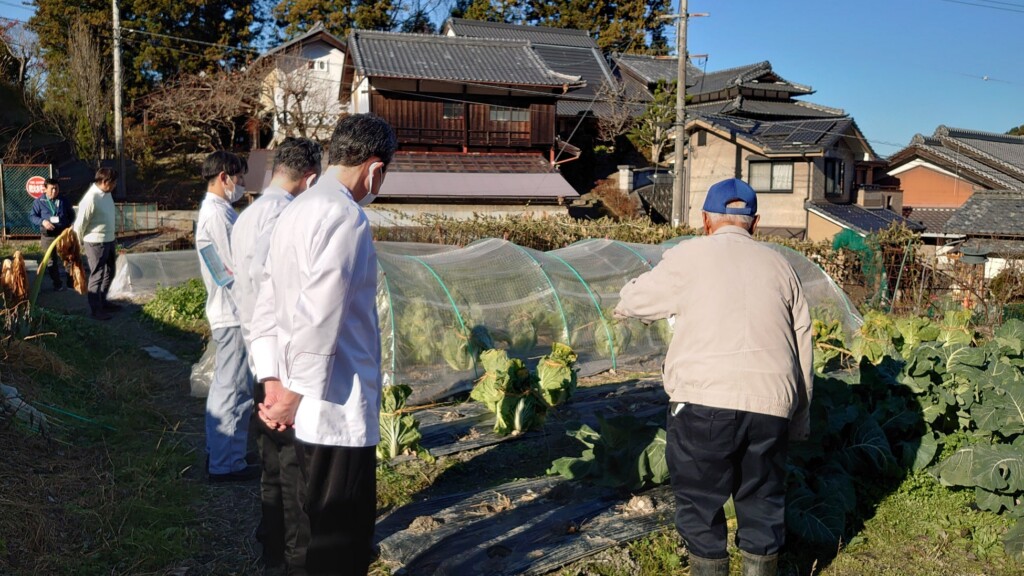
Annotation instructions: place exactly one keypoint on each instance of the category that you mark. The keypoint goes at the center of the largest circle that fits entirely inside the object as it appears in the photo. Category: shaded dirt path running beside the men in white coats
(227, 515)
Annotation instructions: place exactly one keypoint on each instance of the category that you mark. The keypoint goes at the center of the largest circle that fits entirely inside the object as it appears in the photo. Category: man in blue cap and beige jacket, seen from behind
(739, 375)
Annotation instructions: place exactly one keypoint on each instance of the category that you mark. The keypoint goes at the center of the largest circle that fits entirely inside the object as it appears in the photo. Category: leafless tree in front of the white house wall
(302, 96)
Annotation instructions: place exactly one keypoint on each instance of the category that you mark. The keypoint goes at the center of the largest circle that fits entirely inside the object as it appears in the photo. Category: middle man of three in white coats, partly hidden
(284, 528)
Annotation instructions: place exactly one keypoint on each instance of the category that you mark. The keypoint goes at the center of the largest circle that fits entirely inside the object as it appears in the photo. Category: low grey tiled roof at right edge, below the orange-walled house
(991, 213)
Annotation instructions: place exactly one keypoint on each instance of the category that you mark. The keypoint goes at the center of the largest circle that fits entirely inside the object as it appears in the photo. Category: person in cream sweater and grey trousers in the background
(95, 227)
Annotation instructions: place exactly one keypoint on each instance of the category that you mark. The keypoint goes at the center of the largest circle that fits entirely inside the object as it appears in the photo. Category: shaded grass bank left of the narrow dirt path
(102, 493)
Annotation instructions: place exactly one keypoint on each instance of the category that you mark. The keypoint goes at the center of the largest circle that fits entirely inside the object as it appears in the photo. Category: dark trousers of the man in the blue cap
(715, 454)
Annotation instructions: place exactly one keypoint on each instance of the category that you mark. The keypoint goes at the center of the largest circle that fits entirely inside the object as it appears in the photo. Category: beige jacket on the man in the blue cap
(743, 333)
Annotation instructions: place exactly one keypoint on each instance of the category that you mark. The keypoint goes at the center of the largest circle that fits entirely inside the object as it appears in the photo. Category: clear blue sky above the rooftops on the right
(899, 67)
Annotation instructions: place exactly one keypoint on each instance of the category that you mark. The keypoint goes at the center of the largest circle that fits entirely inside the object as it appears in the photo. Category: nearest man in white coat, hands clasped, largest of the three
(316, 331)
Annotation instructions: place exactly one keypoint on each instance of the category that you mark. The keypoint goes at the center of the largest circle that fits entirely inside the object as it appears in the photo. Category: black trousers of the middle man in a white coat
(284, 528)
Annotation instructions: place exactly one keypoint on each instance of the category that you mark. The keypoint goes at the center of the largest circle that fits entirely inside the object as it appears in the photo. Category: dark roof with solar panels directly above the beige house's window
(786, 136)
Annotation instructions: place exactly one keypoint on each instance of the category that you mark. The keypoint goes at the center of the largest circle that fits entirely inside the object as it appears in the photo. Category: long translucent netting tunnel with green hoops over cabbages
(440, 306)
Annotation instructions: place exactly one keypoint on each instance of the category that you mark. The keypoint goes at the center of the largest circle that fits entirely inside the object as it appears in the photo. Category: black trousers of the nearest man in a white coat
(342, 504)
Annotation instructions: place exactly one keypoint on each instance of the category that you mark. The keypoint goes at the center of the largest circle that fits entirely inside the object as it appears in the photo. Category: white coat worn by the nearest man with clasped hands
(315, 325)
